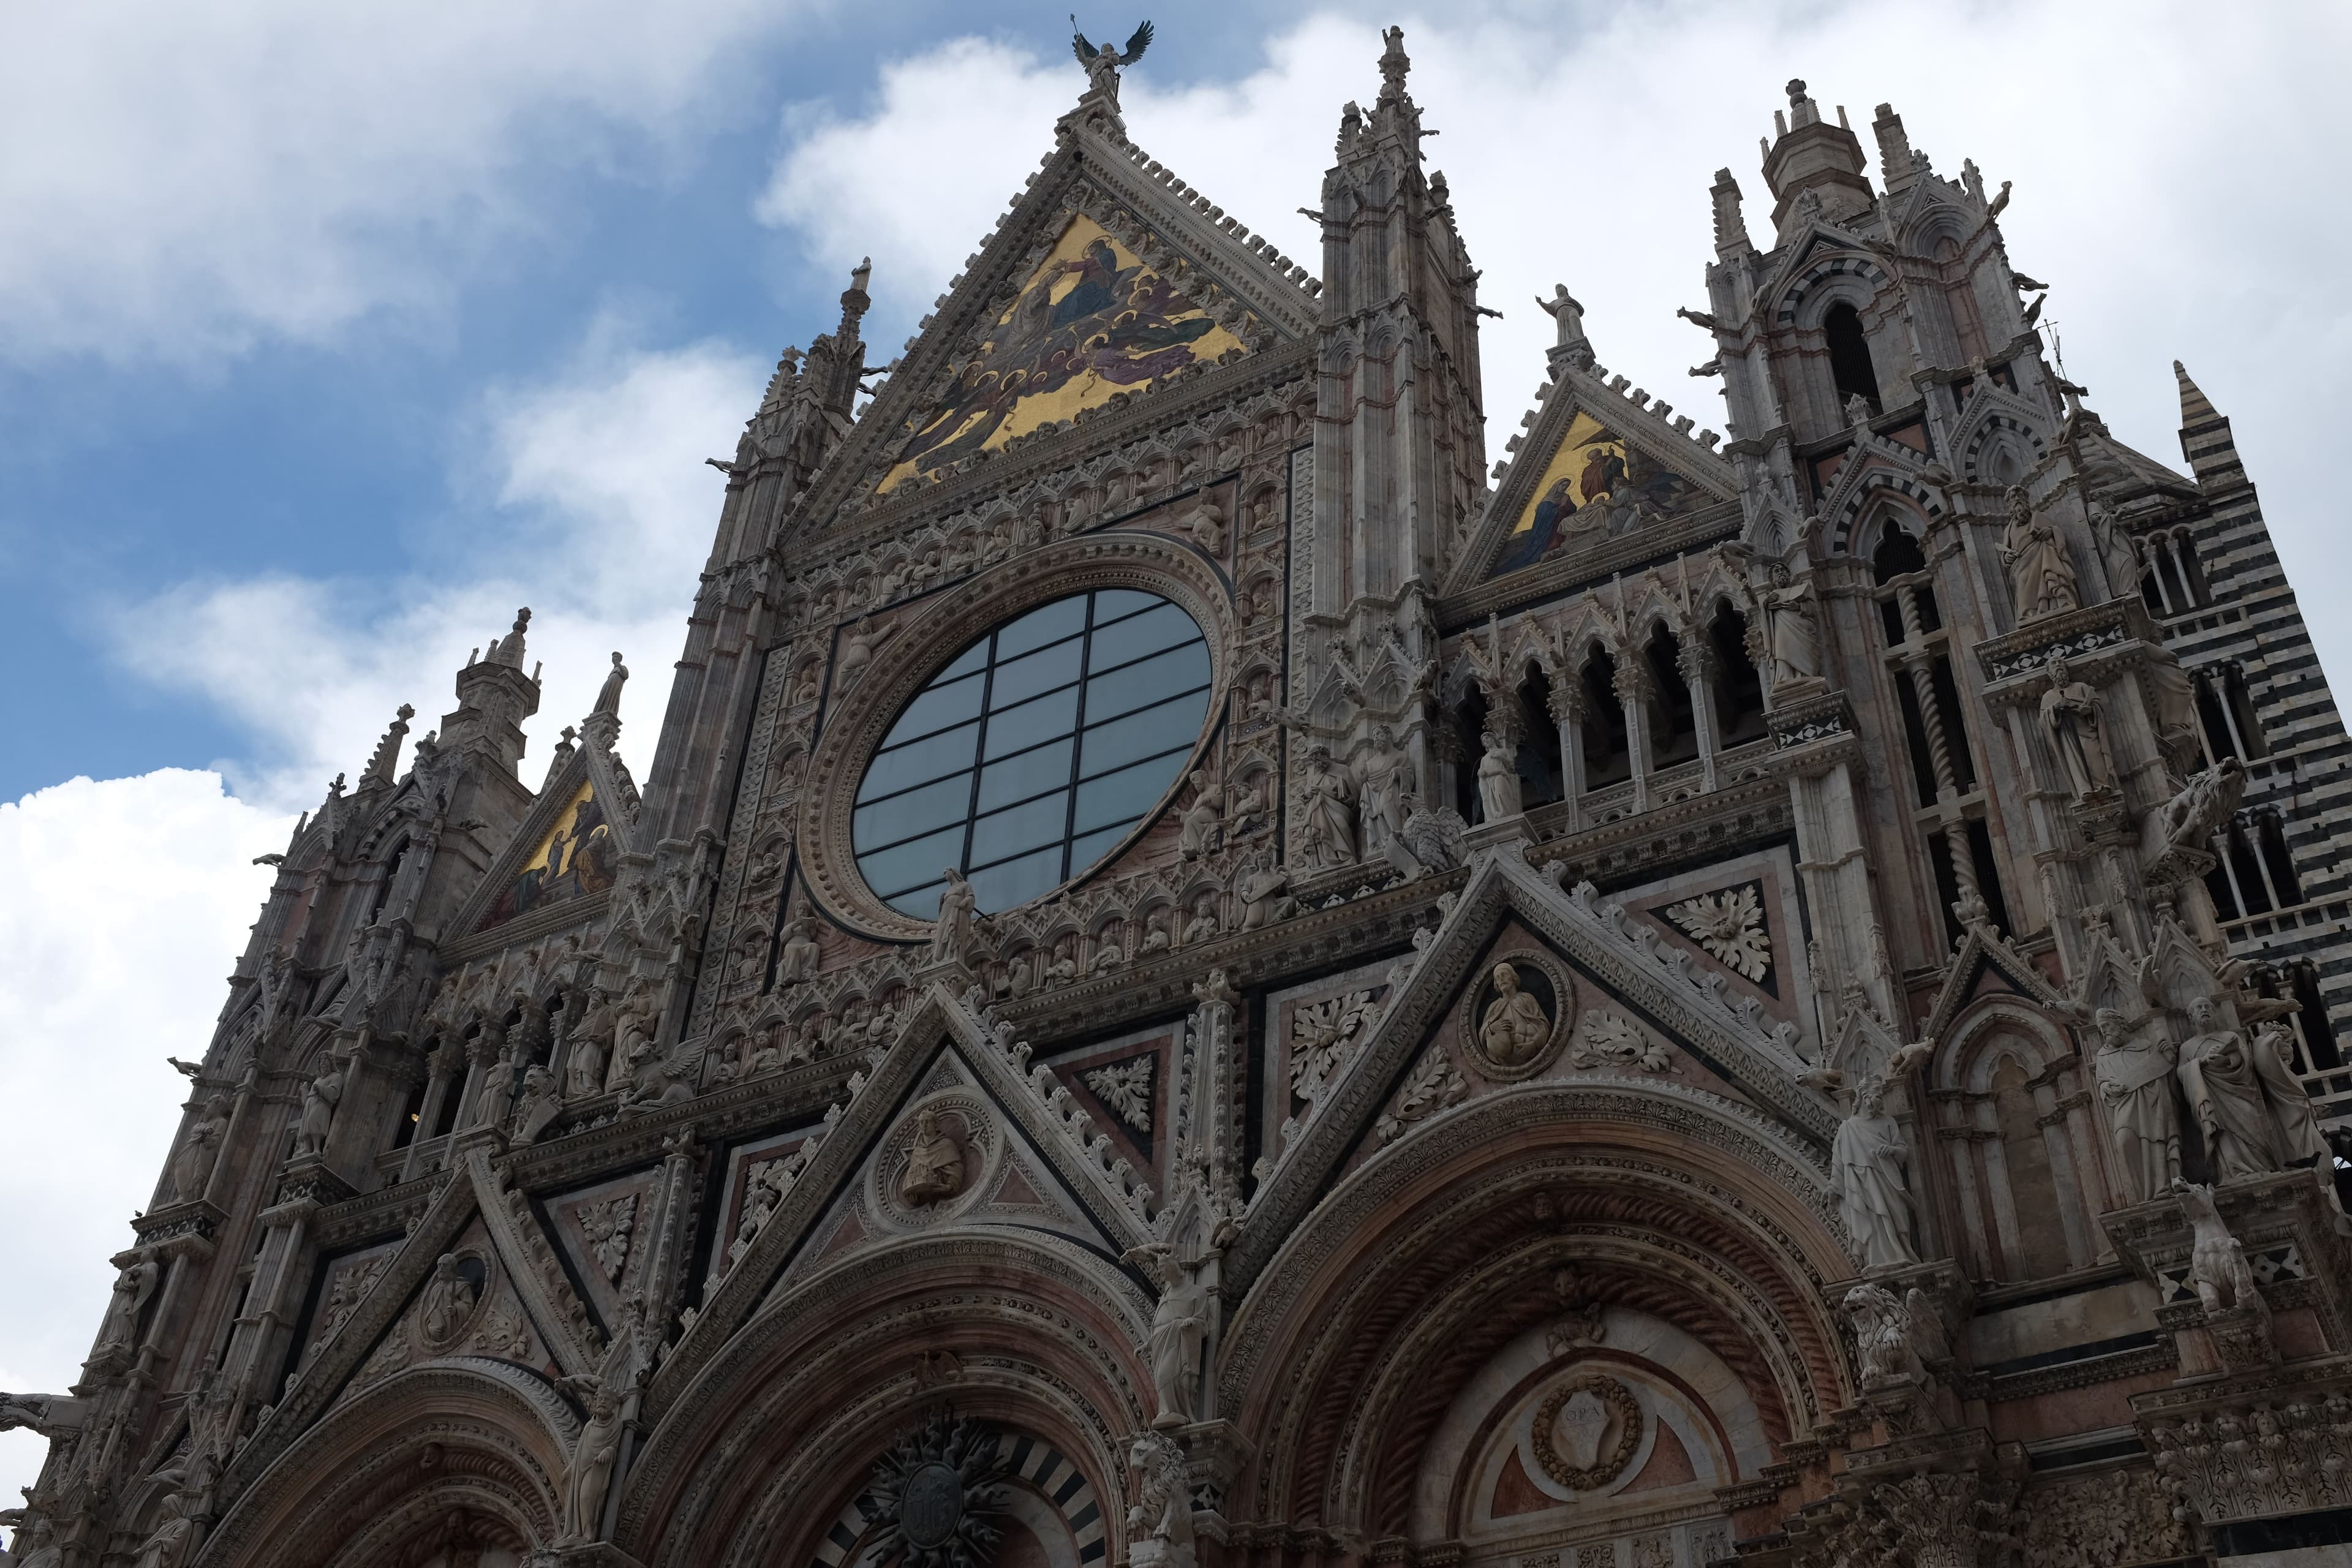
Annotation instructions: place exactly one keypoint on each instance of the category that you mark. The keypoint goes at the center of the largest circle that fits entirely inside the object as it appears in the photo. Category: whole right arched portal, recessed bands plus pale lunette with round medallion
(1568, 1313)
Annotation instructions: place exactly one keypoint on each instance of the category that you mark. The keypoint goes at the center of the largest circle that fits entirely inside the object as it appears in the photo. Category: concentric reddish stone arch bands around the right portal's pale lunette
(1438, 1252)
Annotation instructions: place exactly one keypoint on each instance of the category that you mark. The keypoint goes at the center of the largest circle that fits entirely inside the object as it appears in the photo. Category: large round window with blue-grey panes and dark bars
(1034, 753)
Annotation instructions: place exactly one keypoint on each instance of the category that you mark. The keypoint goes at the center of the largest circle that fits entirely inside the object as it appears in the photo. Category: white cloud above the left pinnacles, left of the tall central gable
(589, 502)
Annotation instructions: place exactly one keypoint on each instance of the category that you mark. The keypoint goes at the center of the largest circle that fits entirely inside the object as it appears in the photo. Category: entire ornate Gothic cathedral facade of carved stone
(1201, 981)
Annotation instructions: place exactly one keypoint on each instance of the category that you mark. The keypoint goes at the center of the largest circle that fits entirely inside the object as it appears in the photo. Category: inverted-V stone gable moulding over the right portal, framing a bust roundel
(1624, 956)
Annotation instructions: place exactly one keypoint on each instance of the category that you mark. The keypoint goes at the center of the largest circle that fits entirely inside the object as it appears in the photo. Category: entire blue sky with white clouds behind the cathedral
(330, 335)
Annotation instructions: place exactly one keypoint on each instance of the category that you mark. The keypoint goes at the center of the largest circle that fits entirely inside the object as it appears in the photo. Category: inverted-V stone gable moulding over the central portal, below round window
(1029, 1104)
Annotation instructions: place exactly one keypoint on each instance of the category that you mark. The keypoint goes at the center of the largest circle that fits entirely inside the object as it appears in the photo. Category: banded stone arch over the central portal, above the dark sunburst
(1043, 1336)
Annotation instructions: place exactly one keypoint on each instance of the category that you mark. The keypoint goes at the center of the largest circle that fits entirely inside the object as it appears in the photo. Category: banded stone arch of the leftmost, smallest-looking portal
(474, 1435)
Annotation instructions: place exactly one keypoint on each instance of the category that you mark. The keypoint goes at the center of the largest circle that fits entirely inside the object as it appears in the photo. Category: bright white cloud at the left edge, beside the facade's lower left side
(123, 906)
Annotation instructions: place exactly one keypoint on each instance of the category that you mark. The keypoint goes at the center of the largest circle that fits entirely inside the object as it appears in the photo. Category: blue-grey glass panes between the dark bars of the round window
(1076, 847)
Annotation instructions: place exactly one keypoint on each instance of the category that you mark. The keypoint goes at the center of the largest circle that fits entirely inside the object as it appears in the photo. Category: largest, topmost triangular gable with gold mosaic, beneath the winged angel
(1109, 276)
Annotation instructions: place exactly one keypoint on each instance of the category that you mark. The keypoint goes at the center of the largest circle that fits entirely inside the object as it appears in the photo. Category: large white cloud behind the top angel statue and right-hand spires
(2163, 185)
